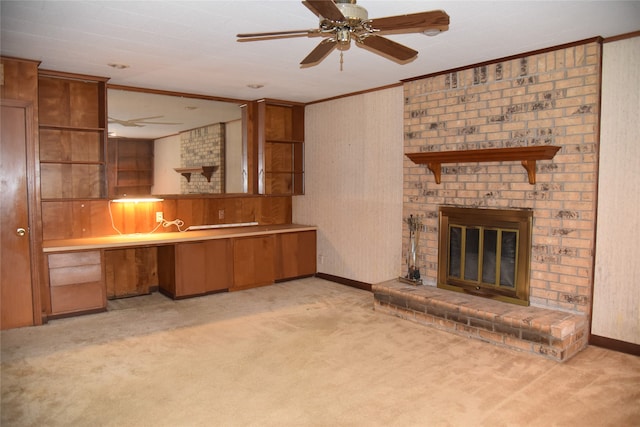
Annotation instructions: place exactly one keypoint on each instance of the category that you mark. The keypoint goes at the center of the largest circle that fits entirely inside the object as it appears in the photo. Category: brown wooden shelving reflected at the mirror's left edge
(130, 167)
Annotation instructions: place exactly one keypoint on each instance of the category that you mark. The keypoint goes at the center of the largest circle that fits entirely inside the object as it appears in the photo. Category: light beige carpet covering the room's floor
(301, 353)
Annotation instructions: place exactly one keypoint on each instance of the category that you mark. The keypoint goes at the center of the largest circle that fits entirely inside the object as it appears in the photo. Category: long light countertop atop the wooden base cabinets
(156, 239)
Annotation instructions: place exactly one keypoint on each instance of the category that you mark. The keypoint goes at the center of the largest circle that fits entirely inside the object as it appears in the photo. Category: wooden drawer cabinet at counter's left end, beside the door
(77, 283)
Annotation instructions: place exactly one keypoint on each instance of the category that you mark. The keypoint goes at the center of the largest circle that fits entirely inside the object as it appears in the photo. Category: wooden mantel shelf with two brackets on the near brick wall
(527, 156)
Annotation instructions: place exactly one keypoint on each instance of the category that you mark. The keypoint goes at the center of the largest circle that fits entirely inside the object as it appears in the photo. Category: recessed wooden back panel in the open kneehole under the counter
(130, 272)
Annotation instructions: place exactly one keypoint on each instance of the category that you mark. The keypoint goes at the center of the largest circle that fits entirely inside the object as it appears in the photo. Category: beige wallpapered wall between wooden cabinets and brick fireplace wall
(353, 184)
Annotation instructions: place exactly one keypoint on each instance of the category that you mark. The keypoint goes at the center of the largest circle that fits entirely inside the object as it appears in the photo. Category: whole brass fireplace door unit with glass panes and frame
(485, 252)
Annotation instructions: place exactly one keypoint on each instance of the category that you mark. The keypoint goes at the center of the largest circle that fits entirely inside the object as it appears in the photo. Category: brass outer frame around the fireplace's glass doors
(520, 220)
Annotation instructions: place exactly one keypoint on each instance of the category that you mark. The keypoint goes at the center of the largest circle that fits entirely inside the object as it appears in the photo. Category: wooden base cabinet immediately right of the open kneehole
(198, 268)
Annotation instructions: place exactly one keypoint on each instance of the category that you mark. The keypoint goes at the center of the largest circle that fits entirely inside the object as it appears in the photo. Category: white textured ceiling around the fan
(191, 47)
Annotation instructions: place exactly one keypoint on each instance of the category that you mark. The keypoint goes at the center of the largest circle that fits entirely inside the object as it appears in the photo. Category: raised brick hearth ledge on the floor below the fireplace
(553, 334)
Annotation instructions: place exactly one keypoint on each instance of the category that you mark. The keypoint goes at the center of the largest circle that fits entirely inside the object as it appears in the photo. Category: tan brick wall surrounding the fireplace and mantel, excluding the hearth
(546, 98)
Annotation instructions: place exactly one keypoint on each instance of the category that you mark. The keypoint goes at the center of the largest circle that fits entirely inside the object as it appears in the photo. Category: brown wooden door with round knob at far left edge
(16, 298)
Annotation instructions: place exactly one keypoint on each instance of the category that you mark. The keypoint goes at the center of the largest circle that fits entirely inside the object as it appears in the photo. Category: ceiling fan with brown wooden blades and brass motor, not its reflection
(343, 20)
